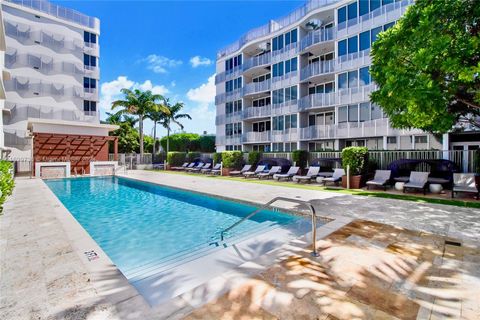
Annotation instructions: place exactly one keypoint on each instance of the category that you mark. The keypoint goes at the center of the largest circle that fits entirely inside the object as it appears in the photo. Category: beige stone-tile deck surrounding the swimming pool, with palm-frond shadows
(46, 274)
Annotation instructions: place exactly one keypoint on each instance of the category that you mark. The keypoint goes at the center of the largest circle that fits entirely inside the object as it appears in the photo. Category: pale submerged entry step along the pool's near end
(156, 267)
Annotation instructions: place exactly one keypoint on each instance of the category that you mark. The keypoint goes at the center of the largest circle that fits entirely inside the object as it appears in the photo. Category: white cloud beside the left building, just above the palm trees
(110, 91)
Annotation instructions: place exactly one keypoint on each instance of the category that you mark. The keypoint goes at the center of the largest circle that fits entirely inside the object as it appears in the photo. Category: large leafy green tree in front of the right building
(427, 66)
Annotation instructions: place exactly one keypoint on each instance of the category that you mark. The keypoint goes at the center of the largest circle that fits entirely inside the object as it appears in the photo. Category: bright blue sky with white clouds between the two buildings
(170, 47)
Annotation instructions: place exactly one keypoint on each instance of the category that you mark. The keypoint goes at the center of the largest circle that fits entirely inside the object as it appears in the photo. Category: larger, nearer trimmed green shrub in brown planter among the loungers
(355, 159)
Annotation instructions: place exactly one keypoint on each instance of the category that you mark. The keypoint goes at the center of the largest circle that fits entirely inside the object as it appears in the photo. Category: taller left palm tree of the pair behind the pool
(137, 103)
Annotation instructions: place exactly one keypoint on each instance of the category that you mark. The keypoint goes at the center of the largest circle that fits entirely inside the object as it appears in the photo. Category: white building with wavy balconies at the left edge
(52, 63)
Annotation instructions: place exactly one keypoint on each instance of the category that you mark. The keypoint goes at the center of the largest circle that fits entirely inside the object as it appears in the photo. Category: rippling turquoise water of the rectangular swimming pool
(138, 223)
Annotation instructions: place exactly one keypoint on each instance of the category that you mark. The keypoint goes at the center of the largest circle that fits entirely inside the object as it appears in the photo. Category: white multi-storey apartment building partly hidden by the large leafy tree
(303, 82)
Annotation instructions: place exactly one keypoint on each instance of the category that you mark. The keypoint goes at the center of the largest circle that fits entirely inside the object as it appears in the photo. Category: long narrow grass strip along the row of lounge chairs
(356, 192)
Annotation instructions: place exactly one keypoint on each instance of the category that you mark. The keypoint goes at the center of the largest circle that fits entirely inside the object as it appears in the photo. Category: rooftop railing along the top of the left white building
(59, 12)
